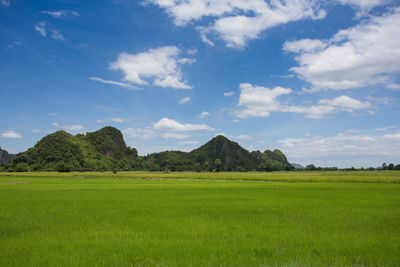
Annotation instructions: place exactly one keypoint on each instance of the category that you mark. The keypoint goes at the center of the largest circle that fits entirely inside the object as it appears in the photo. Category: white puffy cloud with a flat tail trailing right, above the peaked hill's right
(258, 101)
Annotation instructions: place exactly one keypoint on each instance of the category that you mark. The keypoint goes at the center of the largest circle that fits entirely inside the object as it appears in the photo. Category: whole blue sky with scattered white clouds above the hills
(319, 80)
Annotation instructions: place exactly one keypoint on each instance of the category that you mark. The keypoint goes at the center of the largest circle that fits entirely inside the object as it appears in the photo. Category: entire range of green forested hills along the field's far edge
(105, 150)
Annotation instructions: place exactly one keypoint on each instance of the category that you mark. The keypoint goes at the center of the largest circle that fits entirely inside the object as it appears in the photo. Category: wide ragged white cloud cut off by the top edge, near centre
(238, 21)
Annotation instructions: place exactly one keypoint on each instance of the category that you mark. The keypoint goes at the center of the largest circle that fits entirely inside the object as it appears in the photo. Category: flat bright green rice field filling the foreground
(200, 219)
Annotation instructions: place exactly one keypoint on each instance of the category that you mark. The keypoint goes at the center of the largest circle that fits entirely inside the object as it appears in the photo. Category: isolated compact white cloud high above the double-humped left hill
(162, 65)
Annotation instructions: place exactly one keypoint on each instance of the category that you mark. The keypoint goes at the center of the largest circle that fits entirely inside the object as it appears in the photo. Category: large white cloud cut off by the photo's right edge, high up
(366, 54)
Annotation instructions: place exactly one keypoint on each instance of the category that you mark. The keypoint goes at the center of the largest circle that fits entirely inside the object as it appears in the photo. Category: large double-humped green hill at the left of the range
(102, 150)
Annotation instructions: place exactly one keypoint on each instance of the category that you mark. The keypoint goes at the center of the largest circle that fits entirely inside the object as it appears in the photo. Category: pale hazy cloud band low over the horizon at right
(362, 147)
